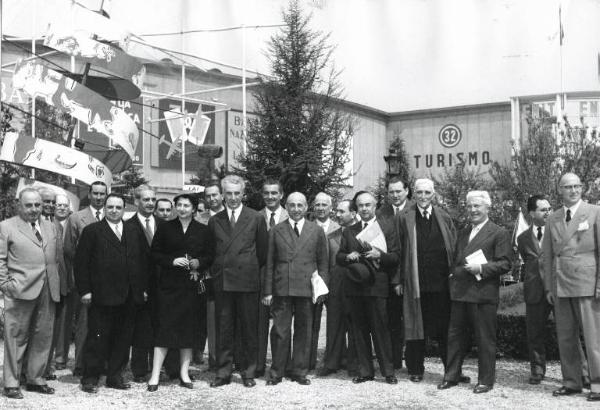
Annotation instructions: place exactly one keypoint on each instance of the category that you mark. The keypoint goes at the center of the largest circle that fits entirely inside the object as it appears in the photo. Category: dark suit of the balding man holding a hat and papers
(368, 304)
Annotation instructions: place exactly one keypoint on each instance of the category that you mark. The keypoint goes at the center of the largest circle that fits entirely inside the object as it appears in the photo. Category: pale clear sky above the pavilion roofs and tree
(395, 55)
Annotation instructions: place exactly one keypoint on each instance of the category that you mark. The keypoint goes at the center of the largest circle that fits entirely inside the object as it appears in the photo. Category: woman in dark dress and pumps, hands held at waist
(181, 248)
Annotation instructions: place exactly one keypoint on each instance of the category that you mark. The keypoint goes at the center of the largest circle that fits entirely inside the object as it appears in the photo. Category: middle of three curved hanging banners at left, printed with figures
(78, 101)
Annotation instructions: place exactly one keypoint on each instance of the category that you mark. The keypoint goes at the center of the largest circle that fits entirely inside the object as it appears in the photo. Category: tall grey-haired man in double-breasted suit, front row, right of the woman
(240, 237)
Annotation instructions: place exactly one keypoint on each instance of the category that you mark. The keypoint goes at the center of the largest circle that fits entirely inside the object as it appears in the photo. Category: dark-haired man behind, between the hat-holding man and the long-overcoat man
(398, 201)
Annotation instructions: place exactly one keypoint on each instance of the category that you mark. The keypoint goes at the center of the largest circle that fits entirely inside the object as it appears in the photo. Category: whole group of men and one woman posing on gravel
(152, 290)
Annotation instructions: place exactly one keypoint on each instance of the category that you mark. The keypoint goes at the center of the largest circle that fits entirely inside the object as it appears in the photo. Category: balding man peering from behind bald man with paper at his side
(322, 206)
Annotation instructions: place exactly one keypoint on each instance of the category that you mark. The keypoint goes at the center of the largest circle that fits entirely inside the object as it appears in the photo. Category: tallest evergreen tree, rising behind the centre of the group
(302, 136)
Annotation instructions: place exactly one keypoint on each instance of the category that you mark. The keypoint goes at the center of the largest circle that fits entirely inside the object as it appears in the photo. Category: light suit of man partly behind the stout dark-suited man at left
(74, 228)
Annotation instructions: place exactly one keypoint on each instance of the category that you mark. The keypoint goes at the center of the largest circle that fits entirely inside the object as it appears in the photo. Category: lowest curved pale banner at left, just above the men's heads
(42, 154)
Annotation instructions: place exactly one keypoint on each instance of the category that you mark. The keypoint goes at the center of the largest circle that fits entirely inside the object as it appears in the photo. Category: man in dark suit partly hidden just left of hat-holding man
(338, 313)
